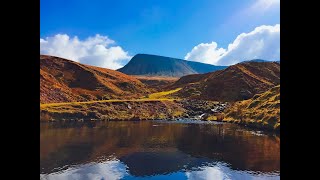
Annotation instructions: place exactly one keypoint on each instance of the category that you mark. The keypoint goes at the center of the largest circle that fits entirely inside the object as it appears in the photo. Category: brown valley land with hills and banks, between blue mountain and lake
(78, 92)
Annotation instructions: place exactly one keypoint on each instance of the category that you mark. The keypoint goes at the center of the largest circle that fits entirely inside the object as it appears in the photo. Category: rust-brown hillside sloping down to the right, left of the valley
(63, 80)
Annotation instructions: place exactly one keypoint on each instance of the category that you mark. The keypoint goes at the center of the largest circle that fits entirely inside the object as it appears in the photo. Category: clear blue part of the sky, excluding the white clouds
(162, 27)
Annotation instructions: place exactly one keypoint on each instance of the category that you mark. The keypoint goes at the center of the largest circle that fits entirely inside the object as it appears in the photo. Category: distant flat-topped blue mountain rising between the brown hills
(153, 65)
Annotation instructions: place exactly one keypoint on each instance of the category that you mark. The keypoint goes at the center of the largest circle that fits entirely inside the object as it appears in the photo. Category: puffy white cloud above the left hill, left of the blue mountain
(95, 50)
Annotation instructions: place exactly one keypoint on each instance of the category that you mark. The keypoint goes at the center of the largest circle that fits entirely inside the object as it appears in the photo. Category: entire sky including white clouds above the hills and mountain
(109, 33)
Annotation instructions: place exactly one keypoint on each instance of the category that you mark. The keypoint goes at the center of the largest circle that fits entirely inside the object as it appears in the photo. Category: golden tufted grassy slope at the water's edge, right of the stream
(261, 110)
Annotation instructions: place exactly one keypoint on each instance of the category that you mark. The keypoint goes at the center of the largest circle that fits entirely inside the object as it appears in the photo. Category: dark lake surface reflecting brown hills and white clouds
(156, 150)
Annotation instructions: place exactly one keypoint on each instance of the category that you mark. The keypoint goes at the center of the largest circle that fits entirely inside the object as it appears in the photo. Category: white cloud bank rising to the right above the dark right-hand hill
(261, 43)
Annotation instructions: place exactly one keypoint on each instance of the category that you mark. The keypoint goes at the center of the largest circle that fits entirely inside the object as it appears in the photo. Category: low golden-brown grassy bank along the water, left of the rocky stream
(112, 110)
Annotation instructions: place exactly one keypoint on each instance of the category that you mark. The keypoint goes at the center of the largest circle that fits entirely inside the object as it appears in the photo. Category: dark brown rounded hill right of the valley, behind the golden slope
(237, 82)
